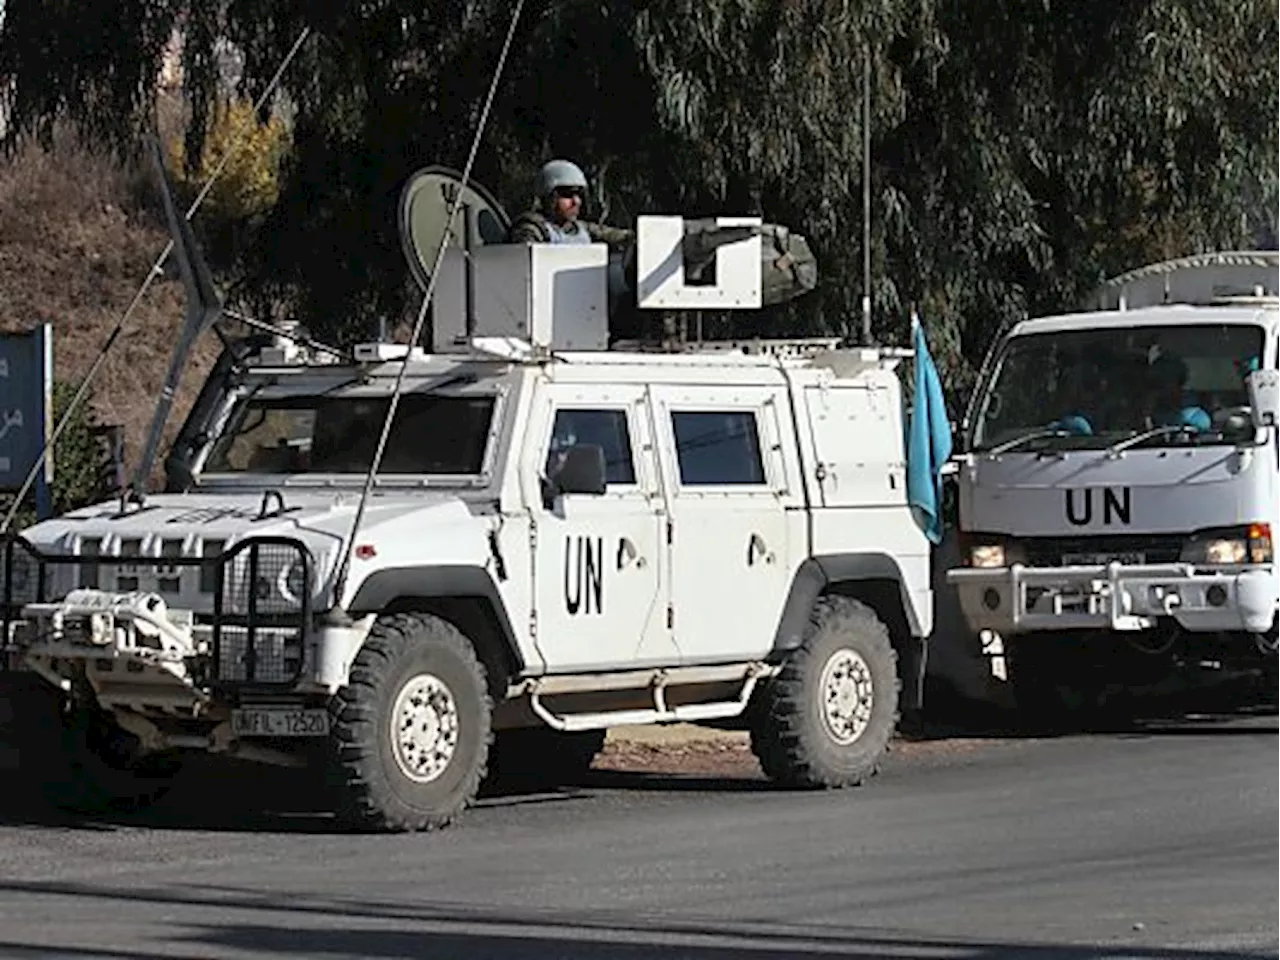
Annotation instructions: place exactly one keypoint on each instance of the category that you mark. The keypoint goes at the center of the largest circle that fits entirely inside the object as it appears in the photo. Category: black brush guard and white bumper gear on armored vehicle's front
(182, 628)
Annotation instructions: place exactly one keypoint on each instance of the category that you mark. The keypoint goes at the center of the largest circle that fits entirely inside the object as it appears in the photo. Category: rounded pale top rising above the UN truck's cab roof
(1204, 280)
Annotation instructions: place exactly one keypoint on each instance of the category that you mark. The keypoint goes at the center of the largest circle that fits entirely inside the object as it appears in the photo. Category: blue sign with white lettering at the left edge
(26, 409)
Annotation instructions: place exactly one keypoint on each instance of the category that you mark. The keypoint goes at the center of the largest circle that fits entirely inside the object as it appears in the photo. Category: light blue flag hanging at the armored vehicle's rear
(929, 446)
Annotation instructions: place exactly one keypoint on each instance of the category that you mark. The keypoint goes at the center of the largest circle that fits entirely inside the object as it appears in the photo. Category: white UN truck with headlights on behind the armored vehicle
(1121, 488)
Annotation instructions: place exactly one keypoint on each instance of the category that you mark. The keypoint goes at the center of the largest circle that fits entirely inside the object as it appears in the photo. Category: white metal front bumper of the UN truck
(1116, 597)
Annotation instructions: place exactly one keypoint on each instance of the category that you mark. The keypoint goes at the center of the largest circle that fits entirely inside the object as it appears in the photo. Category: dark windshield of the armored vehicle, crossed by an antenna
(433, 435)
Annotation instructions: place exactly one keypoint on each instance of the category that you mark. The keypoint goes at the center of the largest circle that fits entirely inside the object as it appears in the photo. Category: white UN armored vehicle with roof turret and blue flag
(564, 536)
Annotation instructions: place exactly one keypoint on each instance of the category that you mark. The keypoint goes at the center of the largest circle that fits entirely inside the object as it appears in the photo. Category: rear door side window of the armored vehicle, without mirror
(716, 449)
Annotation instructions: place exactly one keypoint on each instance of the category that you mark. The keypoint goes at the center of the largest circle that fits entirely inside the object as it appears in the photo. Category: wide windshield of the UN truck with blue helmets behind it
(1089, 390)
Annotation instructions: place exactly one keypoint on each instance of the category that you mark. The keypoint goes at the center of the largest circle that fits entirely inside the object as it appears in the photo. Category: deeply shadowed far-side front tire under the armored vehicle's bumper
(77, 757)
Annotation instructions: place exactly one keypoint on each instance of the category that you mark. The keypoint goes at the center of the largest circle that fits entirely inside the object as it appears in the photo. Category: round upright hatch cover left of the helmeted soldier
(424, 220)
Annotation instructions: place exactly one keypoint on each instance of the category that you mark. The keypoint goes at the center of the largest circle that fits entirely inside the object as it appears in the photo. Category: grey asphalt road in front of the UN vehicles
(1156, 844)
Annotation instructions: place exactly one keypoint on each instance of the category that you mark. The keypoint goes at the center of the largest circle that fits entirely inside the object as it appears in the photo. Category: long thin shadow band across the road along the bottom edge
(304, 926)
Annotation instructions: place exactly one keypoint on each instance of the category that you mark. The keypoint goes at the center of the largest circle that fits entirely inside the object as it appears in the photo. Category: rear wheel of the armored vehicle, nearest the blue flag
(792, 737)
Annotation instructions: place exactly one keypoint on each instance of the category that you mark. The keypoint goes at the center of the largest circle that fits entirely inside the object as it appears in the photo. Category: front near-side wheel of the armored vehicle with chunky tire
(374, 789)
